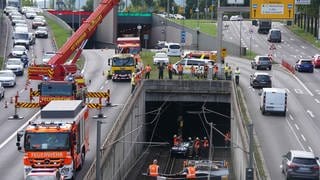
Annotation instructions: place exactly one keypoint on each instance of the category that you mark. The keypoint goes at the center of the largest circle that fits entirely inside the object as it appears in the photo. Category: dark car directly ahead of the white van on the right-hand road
(260, 80)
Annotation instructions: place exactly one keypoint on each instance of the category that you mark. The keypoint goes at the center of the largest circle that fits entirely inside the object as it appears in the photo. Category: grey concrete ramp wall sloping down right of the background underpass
(166, 30)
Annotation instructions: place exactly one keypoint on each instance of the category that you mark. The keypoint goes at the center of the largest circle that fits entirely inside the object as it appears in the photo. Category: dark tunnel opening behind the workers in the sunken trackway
(164, 120)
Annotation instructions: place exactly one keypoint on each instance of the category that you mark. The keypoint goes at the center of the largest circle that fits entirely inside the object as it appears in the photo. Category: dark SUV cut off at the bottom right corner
(300, 164)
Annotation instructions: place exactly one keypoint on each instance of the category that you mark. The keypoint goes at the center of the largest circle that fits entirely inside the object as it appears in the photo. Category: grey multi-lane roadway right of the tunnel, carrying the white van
(298, 130)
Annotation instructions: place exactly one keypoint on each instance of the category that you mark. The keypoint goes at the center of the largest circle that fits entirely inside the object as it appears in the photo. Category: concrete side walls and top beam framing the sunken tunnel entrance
(120, 151)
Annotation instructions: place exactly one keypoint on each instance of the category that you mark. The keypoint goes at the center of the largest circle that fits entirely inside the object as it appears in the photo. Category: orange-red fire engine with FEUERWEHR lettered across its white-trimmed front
(57, 138)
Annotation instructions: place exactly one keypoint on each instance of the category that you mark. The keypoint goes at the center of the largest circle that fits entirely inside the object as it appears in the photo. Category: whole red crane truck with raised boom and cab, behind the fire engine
(54, 73)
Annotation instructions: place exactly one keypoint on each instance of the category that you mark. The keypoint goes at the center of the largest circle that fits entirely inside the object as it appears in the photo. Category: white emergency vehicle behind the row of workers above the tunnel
(187, 63)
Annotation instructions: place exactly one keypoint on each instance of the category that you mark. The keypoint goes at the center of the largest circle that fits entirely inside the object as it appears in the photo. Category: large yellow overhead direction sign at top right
(272, 9)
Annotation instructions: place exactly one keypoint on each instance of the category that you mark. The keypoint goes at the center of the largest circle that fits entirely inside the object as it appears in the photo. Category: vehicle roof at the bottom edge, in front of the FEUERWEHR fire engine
(45, 174)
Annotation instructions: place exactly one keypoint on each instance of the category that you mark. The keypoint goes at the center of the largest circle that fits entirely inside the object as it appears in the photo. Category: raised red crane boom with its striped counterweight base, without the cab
(56, 69)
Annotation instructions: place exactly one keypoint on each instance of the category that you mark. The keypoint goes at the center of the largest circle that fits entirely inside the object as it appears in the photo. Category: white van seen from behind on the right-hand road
(273, 100)
